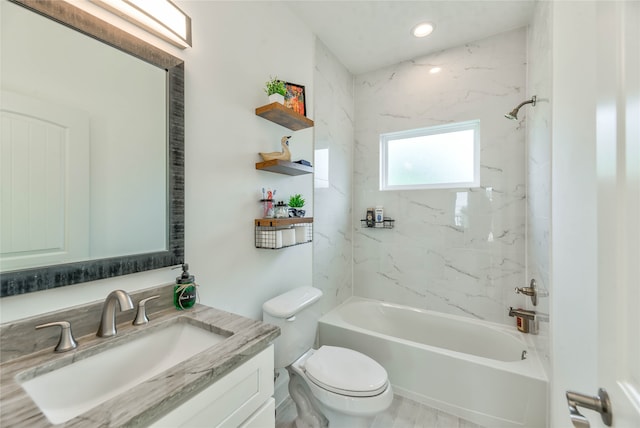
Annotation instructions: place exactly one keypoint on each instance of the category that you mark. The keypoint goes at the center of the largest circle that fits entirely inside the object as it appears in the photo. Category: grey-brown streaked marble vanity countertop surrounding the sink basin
(153, 398)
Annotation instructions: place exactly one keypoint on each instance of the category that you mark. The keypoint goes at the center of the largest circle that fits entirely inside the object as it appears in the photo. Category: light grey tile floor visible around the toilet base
(403, 413)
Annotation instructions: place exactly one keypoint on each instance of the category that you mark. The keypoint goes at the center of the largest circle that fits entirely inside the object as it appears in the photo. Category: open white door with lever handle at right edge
(618, 167)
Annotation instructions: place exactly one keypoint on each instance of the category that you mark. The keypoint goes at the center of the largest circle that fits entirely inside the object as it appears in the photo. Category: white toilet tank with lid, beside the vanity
(297, 314)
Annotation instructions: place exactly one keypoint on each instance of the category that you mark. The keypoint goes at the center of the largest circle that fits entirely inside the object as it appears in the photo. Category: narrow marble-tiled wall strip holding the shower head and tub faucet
(539, 166)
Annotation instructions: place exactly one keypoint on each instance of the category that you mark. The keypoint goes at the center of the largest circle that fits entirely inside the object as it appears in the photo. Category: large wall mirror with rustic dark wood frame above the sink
(92, 150)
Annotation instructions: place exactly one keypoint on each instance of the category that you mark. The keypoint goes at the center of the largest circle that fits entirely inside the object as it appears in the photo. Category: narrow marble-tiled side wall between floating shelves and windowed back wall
(334, 128)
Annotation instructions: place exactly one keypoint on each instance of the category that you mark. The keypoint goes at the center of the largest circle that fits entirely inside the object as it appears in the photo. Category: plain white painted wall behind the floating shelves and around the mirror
(236, 47)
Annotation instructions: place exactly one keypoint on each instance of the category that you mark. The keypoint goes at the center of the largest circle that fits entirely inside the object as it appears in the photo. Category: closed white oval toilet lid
(346, 372)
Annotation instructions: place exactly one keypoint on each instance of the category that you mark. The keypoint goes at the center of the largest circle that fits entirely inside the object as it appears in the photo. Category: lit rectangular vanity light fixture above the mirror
(161, 18)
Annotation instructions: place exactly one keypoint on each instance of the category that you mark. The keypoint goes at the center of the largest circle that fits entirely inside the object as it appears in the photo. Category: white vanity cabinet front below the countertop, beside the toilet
(242, 398)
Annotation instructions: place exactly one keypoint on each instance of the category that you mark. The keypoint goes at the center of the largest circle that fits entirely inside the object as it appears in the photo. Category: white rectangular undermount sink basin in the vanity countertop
(69, 391)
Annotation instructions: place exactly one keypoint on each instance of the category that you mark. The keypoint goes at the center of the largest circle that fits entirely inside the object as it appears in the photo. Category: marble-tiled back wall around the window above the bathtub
(457, 251)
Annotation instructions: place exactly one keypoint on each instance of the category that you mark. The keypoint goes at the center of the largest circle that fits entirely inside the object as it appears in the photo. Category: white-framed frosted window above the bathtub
(438, 157)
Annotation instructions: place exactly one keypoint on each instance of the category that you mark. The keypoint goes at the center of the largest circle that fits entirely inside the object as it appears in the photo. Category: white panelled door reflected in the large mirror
(44, 170)
